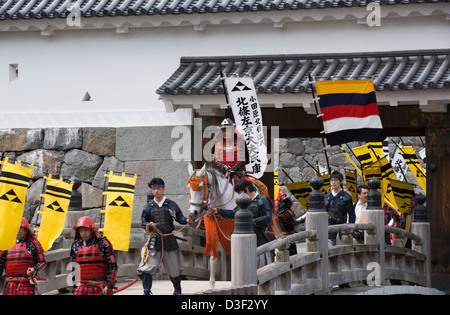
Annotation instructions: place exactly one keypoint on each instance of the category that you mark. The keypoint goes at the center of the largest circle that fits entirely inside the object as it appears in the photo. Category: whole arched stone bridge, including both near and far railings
(348, 268)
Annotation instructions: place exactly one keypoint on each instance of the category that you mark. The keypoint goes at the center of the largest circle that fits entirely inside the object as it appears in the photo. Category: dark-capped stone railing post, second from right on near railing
(375, 214)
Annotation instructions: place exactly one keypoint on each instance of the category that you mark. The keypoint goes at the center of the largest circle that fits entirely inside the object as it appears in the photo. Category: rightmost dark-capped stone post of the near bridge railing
(421, 227)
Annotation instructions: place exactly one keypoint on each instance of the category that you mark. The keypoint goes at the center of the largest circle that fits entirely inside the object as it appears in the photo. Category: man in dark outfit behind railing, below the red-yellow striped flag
(338, 205)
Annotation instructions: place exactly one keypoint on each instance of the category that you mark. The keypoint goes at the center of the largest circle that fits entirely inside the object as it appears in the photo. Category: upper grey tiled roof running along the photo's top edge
(41, 9)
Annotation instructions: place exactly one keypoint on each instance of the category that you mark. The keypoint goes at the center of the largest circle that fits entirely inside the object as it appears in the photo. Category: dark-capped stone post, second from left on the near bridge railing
(317, 219)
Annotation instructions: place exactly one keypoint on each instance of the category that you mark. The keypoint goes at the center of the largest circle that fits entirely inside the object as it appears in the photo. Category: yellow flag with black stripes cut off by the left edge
(14, 181)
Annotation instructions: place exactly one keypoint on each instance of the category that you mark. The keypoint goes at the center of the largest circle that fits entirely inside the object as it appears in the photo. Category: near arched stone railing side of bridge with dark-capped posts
(371, 265)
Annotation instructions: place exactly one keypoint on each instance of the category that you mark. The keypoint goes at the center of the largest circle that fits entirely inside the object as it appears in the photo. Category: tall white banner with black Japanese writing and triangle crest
(247, 116)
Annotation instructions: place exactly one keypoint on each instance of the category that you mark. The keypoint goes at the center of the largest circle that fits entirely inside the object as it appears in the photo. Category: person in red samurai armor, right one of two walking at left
(96, 267)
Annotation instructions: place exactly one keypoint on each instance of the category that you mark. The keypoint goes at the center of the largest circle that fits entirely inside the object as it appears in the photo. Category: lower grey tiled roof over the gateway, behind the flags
(289, 73)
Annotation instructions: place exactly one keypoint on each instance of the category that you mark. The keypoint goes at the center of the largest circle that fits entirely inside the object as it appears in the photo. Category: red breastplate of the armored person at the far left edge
(18, 260)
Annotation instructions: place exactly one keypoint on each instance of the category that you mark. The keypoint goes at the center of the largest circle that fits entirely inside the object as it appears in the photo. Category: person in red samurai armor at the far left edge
(22, 262)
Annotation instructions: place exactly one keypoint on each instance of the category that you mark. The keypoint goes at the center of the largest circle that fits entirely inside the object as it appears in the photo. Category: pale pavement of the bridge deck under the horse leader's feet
(164, 287)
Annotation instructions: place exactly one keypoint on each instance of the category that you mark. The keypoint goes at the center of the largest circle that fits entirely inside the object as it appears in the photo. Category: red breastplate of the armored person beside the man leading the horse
(91, 264)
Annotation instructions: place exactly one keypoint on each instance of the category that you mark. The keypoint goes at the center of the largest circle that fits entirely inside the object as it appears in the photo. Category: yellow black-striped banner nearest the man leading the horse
(118, 210)
